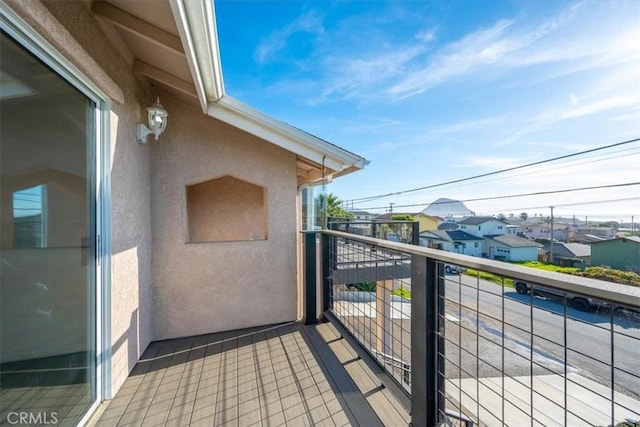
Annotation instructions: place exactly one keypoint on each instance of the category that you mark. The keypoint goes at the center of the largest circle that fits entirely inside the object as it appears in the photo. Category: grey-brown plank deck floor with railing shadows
(278, 375)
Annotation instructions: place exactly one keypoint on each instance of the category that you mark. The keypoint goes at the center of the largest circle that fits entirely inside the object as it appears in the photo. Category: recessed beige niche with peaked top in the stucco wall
(226, 209)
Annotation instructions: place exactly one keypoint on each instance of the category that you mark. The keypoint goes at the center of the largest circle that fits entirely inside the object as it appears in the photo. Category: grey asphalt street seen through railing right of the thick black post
(535, 329)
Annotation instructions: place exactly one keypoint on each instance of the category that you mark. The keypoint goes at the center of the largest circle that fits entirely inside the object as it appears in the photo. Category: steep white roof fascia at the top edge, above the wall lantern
(195, 21)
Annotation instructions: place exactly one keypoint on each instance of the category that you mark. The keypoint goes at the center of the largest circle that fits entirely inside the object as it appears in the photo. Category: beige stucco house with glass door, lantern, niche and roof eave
(186, 231)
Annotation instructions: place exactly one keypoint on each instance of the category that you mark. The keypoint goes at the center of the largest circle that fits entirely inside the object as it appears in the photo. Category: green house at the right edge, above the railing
(622, 253)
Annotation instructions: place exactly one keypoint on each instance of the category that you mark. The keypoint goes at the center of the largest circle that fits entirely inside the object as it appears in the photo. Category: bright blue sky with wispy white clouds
(433, 91)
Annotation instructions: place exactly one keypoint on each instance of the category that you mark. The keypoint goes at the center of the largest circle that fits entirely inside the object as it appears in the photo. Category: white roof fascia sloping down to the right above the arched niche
(236, 113)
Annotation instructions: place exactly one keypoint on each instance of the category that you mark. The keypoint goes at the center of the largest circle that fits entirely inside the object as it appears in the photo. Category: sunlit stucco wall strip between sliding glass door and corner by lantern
(73, 31)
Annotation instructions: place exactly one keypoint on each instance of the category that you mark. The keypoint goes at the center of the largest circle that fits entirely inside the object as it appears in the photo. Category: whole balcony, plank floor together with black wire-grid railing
(391, 338)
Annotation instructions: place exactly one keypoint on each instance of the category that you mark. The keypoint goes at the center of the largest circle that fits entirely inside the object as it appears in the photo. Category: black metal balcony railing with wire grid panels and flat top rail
(490, 343)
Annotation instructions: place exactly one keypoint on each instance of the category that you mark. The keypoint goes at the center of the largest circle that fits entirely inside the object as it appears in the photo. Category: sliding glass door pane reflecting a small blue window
(47, 243)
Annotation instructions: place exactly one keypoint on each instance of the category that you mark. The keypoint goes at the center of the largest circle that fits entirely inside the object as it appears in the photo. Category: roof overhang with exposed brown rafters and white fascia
(188, 63)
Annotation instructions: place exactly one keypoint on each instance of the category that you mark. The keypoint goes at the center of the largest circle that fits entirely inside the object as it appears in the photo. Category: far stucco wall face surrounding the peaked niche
(208, 287)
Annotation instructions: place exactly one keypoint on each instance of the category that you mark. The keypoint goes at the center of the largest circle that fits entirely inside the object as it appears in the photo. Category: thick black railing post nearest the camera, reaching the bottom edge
(426, 363)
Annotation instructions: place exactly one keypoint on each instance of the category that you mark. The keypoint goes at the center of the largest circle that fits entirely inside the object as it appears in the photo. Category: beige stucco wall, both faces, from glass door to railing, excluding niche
(162, 286)
